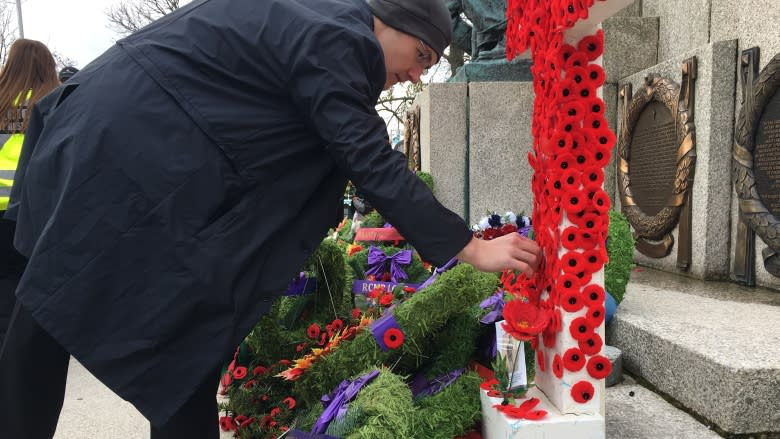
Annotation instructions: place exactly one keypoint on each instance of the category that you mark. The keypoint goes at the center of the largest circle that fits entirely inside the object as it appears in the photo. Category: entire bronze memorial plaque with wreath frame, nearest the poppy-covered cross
(657, 156)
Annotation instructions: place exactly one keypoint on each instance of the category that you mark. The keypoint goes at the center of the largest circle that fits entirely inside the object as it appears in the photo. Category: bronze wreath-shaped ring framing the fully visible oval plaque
(665, 91)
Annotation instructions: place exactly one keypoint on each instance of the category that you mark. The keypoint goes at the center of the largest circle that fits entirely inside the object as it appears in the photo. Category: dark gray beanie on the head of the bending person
(428, 20)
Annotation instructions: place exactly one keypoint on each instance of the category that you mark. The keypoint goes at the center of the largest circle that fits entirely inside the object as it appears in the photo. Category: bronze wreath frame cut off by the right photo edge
(753, 210)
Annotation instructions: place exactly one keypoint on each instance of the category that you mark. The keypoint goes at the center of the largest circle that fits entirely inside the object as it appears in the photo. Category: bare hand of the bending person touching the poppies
(512, 251)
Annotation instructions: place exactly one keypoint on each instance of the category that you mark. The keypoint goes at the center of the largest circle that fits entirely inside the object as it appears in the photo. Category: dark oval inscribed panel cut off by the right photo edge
(766, 156)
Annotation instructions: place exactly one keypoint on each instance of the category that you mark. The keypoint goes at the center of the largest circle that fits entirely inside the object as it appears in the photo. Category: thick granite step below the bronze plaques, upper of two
(712, 346)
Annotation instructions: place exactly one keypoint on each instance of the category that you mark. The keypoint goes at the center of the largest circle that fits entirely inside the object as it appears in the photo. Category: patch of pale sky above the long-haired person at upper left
(74, 28)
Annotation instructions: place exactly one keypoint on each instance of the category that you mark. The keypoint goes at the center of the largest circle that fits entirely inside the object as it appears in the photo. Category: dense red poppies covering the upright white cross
(572, 144)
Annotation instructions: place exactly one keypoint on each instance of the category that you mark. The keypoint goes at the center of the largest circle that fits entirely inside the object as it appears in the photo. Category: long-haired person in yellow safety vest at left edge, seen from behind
(28, 75)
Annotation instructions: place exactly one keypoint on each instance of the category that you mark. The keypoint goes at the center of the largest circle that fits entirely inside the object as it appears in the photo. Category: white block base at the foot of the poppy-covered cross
(495, 425)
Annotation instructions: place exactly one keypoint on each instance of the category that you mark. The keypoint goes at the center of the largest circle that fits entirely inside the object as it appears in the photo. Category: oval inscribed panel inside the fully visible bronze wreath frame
(652, 162)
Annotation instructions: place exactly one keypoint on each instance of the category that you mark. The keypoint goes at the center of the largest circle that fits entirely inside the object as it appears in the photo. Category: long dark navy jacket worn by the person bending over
(173, 187)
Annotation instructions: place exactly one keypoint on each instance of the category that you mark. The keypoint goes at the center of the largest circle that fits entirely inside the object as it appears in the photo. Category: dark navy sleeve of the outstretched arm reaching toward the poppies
(335, 83)
